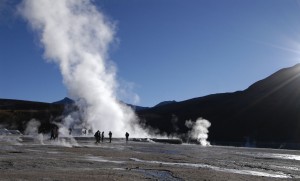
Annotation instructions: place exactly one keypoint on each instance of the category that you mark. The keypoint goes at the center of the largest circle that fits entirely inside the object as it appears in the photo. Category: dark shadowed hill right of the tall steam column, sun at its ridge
(267, 111)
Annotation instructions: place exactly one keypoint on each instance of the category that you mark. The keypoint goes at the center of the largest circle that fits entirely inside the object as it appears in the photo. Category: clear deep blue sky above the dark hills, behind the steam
(166, 49)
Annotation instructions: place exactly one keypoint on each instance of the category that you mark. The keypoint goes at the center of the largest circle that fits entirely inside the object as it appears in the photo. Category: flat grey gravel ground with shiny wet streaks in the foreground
(27, 159)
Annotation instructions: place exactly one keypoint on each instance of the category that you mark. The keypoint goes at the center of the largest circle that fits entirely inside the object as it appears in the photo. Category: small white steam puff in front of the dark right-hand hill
(199, 130)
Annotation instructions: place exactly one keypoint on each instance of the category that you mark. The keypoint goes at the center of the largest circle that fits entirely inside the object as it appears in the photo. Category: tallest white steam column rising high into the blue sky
(76, 36)
